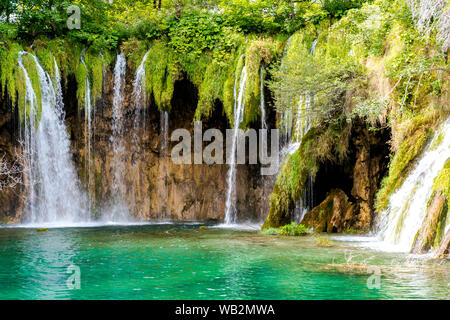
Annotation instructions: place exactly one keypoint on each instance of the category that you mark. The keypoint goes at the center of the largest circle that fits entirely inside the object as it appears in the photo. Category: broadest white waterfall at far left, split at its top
(54, 196)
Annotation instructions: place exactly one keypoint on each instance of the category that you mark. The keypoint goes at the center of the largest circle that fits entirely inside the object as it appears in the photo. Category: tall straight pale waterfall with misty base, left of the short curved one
(119, 212)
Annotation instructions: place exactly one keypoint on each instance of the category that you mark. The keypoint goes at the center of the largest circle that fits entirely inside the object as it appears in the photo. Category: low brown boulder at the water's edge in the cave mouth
(334, 214)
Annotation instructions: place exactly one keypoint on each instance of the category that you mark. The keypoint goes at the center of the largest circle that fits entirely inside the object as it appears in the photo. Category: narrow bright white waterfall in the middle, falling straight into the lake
(239, 107)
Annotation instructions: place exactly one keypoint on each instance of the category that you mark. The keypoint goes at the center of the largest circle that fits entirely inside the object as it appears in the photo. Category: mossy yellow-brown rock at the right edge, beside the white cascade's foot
(432, 227)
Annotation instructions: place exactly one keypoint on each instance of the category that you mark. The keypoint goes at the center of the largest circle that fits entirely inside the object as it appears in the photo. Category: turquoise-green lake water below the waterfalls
(184, 262)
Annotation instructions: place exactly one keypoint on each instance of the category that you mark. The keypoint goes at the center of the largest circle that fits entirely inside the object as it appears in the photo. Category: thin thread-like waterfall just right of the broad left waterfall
(87, 130)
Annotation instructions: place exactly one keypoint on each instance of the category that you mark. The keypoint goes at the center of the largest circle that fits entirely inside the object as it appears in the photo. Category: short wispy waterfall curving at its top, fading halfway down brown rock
(139, 97)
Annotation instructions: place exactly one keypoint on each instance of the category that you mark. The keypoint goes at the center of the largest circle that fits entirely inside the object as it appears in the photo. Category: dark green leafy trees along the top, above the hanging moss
(107, 23)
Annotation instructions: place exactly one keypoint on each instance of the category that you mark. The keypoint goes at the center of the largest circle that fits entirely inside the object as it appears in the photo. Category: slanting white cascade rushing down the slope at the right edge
(408, 205)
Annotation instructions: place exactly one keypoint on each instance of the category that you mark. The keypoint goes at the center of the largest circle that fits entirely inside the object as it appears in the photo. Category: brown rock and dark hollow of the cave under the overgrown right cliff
(349, 202)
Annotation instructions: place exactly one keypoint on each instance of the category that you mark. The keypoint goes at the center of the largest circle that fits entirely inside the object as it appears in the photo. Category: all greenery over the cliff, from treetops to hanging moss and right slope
(383, 62)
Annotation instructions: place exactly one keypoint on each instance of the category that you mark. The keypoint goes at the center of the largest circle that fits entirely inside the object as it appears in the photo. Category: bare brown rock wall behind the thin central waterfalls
(154, 187)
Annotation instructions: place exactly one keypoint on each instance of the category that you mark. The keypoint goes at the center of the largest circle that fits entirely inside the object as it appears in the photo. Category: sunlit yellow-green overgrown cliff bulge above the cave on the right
(377, 64)
